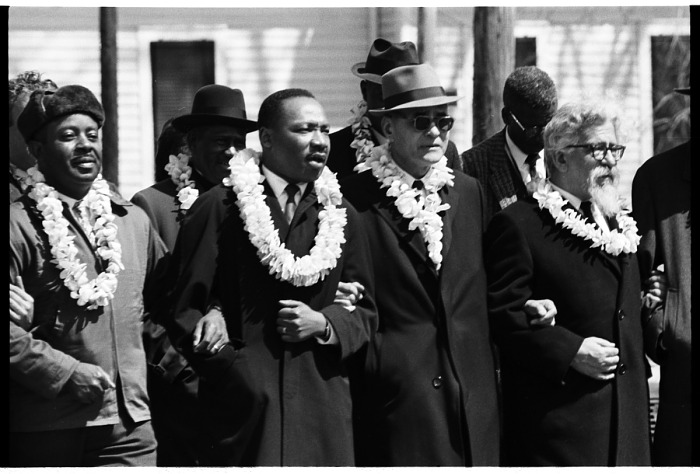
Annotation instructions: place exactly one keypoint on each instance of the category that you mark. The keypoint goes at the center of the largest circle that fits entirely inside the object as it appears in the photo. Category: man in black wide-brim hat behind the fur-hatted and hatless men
(214, 130)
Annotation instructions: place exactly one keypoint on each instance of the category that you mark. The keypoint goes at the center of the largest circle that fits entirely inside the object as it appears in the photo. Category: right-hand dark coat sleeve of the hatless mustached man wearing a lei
(354, 329)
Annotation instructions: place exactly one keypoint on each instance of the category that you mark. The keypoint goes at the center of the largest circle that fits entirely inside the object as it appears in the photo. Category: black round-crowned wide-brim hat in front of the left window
(216, 105)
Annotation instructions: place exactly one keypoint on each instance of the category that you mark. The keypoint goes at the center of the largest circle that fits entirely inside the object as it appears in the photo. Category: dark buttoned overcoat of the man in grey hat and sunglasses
(429, 397)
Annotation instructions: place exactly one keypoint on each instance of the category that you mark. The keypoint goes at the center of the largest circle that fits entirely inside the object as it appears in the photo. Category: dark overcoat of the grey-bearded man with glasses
(554, 415)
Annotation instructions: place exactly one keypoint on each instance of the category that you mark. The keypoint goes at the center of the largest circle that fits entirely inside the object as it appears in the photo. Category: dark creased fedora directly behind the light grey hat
(383, 57)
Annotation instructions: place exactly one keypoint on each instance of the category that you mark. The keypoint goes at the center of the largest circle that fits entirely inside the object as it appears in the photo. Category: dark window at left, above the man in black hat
(179, 69)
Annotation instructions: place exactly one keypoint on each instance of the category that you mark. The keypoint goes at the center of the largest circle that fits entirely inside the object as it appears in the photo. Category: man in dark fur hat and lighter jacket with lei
(88, 258)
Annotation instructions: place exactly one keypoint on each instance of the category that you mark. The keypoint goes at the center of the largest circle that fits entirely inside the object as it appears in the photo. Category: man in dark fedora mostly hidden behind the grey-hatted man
(350, 143)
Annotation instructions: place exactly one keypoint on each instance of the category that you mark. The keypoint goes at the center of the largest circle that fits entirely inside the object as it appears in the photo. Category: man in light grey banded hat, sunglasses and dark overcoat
(429, 395)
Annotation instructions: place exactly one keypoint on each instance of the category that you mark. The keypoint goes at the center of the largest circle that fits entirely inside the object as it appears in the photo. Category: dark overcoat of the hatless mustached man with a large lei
(268, 402)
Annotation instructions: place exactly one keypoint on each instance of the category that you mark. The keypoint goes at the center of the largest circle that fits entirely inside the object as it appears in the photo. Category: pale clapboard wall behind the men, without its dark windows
(598, 53)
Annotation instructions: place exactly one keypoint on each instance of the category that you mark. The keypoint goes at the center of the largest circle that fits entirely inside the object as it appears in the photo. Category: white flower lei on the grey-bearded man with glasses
(613, 242)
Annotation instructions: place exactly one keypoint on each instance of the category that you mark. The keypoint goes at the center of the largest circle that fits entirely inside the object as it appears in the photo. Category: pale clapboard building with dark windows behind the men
(635, 56)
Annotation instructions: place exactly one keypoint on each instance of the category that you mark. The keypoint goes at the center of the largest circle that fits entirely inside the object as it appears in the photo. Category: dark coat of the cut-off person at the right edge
(661, 206)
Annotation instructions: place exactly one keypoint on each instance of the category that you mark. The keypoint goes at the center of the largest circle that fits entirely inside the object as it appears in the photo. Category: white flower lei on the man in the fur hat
(102, 235)
